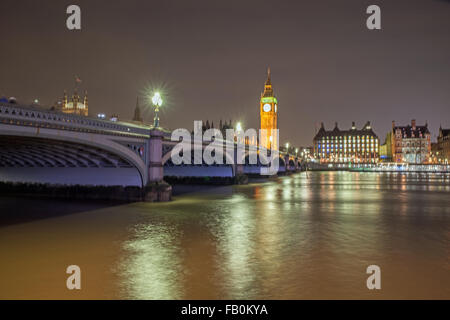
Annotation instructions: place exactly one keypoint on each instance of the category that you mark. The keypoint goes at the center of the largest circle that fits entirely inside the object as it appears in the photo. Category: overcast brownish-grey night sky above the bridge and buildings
(210, 58)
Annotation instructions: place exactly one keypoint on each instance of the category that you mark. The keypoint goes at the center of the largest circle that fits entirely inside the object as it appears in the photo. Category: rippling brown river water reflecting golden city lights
(303, 236)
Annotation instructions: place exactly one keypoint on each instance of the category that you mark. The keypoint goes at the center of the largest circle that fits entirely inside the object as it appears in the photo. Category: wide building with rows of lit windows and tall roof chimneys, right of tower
(346, 146)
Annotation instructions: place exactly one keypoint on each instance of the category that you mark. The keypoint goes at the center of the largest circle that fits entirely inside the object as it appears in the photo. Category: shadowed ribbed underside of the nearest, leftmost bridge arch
(36, 160)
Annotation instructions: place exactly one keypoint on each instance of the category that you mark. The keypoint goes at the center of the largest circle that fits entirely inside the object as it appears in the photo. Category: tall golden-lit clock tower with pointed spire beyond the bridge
(269, 116)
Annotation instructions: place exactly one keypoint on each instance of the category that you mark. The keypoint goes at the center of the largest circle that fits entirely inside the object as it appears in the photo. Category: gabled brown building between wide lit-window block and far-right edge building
(410, 144)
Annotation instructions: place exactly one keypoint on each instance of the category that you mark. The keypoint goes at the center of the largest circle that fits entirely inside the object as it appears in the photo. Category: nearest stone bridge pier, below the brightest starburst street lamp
(156, 189)
